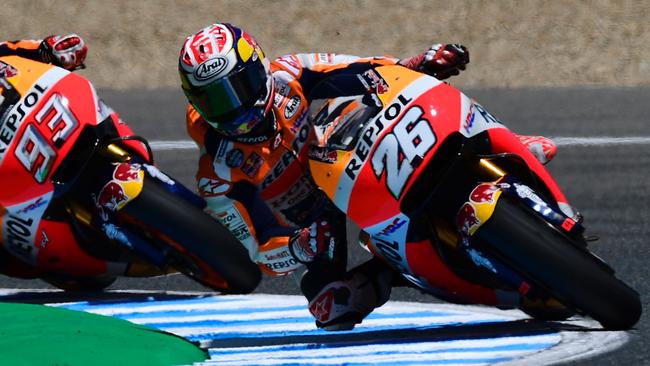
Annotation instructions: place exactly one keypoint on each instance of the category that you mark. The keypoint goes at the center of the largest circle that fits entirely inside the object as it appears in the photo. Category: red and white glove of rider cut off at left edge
(68, 51)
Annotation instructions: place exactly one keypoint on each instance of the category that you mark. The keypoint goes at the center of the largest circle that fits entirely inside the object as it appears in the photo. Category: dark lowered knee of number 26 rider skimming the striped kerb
(340, 305)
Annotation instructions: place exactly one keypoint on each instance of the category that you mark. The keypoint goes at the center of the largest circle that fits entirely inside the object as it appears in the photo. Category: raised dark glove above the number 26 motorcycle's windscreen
(440, 61)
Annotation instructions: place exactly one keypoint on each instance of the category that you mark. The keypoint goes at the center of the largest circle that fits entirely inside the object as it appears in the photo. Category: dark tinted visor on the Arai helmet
(227, 98)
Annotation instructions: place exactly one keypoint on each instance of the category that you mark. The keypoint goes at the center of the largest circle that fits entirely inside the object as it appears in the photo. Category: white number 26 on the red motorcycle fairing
(411, 139)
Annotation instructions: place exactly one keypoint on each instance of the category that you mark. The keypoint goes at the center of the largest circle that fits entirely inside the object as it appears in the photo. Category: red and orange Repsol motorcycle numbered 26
(446, 195)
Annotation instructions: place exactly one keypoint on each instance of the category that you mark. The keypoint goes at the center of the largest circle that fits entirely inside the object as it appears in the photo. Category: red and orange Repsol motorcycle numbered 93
(81, 201)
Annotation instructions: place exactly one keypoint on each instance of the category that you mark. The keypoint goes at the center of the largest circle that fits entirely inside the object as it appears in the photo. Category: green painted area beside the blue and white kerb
(40, 335)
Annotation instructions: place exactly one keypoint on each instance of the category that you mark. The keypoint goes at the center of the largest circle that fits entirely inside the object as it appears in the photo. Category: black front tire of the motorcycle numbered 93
(205, 243)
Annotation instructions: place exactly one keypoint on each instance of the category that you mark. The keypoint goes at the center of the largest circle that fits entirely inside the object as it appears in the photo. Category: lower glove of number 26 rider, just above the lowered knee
(309, 243)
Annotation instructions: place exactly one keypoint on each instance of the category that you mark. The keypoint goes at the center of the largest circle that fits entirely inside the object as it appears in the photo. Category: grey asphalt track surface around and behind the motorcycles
(606, 179)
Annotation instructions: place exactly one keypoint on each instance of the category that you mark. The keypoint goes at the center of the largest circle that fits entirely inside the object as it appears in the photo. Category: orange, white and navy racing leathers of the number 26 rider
(259, 187)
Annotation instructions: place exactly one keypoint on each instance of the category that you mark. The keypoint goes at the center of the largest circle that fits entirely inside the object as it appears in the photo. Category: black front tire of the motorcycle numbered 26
(550, 259)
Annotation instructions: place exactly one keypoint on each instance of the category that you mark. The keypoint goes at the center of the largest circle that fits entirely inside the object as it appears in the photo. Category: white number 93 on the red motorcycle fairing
(34, 151)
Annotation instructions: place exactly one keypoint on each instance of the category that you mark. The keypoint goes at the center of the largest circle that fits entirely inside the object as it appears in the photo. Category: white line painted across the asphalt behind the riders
(166, 145)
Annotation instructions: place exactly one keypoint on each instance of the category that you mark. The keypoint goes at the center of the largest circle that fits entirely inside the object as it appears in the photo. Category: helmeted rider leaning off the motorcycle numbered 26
(248, 115)
